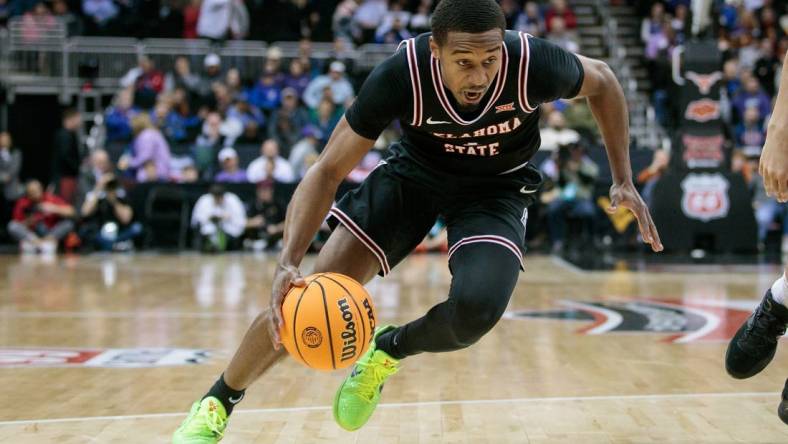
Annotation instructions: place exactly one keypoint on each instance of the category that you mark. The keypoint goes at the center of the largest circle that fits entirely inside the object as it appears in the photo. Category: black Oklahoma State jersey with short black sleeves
(500, 137)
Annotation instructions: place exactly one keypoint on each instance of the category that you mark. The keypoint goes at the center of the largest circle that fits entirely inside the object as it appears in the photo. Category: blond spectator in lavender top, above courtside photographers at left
(150, 158)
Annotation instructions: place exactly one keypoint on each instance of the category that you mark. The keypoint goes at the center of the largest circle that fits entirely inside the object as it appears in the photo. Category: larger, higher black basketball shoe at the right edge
(754, 345)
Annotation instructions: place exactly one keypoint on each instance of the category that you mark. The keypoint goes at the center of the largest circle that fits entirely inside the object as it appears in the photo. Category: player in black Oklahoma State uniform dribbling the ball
(467, 96)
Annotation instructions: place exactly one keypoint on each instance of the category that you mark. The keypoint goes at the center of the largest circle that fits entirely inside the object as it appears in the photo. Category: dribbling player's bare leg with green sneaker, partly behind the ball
(207, 420)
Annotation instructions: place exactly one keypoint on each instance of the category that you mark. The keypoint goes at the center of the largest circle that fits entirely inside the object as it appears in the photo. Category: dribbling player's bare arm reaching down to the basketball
(308, 208)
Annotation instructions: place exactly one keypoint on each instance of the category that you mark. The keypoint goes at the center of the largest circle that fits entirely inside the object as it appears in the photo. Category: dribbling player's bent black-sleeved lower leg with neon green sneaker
(483, 278)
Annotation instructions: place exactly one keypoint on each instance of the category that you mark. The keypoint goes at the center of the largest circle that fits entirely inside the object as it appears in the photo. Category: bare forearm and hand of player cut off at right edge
(774, 157)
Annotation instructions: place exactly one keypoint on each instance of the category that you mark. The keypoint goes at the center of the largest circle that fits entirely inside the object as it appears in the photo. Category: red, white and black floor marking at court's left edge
(117, 357)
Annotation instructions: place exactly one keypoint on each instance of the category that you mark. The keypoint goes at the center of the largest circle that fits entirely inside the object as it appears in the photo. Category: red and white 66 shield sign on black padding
(705, 196)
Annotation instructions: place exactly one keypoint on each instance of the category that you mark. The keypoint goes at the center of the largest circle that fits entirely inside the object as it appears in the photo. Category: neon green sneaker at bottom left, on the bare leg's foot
(204, 425)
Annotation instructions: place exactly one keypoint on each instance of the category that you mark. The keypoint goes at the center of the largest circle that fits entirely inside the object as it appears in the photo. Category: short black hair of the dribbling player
(472, 16)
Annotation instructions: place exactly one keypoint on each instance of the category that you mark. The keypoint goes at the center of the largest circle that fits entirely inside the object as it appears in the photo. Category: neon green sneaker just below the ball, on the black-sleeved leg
(358, 396)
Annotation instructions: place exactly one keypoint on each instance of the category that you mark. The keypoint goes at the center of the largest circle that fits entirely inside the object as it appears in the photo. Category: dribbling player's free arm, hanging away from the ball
(609, 107)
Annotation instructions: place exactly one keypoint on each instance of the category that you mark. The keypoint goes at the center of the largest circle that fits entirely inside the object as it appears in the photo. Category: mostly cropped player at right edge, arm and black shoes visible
(754, 345)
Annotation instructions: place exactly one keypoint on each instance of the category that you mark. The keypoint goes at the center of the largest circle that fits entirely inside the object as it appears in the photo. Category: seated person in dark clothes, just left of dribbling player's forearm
(265, 223)
